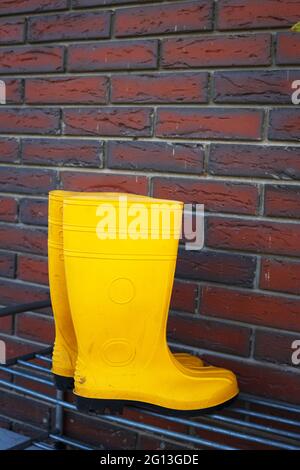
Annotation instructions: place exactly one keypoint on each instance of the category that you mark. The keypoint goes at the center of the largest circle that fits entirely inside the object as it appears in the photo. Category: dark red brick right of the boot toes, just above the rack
(258, 379)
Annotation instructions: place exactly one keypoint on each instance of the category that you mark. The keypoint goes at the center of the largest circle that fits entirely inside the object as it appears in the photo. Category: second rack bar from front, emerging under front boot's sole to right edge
(207, 427)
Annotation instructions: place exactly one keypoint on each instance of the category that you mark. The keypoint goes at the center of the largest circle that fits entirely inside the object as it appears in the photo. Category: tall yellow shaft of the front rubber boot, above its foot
(119, 288)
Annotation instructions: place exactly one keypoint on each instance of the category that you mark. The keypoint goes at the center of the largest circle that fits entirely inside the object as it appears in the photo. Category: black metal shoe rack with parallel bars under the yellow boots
(249, 423)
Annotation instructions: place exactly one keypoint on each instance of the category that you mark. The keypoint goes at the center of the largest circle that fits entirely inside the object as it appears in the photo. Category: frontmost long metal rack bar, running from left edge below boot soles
(123, 421)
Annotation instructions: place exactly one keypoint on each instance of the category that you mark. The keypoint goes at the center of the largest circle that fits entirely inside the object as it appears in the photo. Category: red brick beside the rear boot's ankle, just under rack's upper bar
(35, 327)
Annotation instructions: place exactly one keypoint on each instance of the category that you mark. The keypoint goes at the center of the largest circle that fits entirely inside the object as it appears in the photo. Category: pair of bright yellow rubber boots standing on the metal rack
(112, 260)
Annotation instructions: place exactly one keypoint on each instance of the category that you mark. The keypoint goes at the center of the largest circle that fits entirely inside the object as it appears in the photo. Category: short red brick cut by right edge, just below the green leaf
(288, 45)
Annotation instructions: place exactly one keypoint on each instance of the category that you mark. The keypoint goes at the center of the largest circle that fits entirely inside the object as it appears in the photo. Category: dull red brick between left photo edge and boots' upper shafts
(19, 238)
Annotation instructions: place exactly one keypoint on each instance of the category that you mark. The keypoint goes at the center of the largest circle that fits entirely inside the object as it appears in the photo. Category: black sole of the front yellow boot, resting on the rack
(116, 407)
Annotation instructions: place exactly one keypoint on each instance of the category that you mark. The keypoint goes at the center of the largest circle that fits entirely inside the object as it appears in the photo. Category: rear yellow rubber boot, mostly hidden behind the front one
(65, 346)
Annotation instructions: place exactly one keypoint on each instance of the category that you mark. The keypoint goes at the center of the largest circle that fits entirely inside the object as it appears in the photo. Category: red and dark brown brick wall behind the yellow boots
(185, 99)
